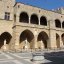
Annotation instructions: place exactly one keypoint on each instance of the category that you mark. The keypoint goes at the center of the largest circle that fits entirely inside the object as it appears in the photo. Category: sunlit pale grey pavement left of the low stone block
(17, 58)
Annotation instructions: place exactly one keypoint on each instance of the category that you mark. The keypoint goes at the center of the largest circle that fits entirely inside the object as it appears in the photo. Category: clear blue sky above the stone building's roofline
(46, 4)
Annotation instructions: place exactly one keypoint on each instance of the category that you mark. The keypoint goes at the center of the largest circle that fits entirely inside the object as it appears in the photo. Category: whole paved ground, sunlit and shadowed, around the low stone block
(25, 57)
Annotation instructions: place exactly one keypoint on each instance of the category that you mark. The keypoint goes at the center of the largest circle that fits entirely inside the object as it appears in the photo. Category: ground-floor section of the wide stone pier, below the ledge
(52, 40)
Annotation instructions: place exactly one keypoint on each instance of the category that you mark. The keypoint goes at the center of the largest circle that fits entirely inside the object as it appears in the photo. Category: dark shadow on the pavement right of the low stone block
(54, 57)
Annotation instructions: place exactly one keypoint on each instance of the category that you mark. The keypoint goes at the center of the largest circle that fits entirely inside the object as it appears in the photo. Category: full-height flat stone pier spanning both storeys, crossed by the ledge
(52, 35)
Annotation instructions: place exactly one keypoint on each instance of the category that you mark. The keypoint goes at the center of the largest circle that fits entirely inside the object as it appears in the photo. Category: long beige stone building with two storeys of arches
(23, 26)
